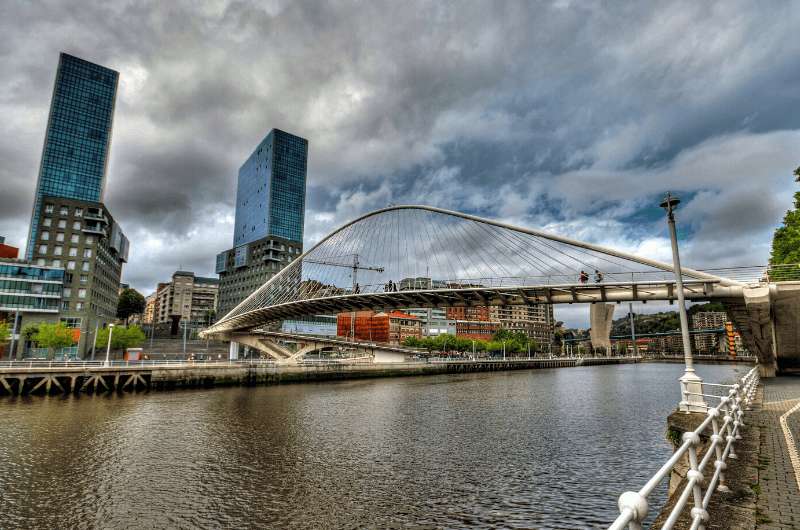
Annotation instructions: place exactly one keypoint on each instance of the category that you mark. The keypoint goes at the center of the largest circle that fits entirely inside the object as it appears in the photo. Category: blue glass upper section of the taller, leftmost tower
(78, 137)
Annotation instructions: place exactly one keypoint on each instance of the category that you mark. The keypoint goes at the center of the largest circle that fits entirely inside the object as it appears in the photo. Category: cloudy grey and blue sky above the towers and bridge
(573, 117)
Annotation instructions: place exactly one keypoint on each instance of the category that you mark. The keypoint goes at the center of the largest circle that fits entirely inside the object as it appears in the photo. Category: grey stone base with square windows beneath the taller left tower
(82, 238)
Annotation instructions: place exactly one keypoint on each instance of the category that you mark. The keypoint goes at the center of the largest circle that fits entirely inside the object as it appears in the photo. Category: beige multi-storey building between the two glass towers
(185, 300)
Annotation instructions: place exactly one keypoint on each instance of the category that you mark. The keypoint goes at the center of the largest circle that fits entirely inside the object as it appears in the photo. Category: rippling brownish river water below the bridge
(523, 449)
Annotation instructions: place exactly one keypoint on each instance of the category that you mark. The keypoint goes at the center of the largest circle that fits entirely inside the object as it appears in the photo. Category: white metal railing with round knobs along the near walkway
(633, 505)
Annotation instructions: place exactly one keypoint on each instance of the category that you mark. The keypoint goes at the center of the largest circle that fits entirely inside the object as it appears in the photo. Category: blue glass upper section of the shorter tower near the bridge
(271, 191)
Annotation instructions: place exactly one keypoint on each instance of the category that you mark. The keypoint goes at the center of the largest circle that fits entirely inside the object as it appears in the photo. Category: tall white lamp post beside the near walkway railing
(691, 383)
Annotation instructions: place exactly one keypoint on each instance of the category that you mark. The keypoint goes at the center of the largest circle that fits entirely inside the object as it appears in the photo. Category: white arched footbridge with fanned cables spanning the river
(422, 256)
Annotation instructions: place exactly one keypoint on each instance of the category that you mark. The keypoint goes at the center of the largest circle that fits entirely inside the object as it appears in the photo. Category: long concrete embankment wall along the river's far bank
(64, 378)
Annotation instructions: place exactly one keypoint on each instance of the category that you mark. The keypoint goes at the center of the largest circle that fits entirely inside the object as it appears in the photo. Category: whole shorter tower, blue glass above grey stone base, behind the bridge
(270, 210)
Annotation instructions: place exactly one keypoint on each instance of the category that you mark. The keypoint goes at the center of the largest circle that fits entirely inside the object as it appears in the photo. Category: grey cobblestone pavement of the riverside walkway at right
(778, 495)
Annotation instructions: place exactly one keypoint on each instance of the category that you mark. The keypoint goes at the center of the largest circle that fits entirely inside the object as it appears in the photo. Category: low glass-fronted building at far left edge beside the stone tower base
(29, 294)
